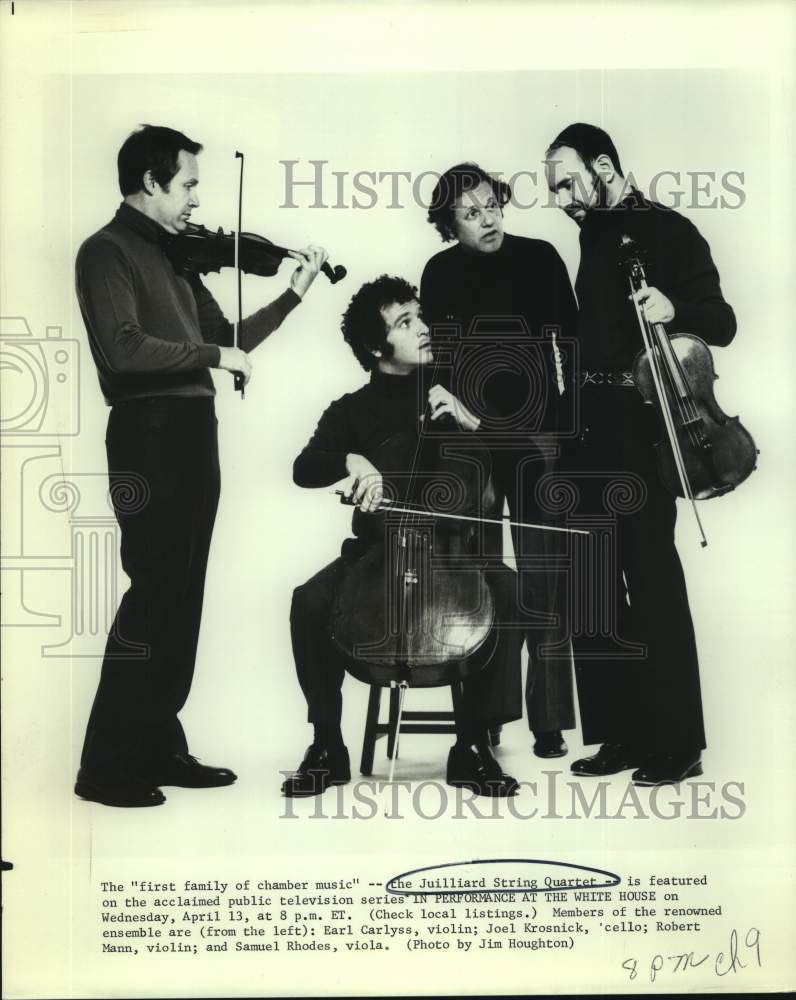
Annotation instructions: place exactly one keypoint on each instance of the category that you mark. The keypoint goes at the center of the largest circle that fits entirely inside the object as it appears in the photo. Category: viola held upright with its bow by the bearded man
(708, 453)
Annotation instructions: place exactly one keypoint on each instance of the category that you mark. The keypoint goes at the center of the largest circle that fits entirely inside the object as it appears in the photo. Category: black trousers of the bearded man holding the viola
(639, 684)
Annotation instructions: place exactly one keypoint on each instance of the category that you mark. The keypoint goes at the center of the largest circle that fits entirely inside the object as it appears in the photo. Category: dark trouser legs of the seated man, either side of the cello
(490, 697)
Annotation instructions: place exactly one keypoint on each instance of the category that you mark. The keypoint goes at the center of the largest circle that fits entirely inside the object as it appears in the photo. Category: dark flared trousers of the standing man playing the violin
(164, 485)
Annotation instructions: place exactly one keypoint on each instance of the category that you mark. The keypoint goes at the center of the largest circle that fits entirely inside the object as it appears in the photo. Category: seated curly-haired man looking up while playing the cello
(385, 330)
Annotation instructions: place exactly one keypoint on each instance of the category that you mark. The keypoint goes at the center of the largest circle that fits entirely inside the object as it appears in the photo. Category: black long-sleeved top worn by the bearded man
(677, 262)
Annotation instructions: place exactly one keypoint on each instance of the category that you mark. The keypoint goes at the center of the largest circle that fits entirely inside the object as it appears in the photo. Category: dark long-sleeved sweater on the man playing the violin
(153, 331)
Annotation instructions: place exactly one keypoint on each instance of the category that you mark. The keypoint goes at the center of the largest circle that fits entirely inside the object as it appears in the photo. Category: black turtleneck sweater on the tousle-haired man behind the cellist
(495, 303)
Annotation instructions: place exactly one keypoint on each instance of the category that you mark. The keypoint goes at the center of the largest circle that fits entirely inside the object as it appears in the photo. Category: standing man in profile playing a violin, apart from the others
(154, 334)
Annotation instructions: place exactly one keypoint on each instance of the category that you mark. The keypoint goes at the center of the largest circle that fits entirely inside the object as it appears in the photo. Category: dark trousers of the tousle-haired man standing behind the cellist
(541, 558)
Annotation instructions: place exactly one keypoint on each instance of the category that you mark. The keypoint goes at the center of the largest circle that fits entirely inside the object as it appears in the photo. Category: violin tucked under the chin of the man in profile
(198, 250)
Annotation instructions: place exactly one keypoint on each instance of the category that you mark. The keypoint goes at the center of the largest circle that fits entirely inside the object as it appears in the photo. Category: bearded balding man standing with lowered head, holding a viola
(645, 711)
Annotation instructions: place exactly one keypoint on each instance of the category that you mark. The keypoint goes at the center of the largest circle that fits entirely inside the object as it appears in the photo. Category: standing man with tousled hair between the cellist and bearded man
(508, 304)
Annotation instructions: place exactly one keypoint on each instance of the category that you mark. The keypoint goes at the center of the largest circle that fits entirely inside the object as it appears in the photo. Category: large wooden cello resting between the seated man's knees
(417, 608)
